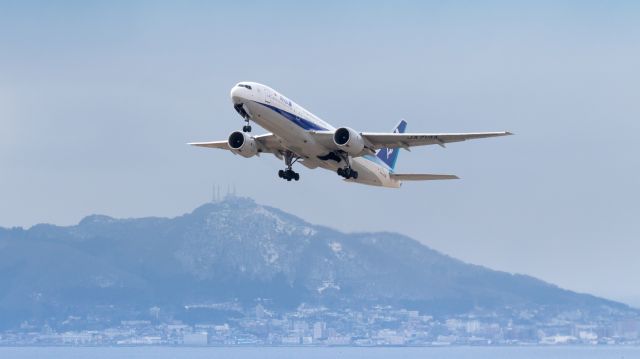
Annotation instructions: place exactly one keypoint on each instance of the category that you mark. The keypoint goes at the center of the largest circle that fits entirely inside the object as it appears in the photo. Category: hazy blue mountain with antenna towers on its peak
(238, 252)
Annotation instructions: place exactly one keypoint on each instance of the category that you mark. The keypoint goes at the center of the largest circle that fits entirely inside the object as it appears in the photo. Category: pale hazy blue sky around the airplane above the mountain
(97, 102)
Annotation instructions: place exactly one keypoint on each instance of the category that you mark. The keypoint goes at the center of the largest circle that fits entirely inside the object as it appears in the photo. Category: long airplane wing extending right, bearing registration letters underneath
(406, 140)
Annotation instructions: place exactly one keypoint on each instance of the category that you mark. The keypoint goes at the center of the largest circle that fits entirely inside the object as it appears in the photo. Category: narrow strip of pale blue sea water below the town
(535, 352)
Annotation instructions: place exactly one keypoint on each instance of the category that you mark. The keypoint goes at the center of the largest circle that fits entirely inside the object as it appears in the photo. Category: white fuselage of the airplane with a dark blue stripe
(291, 124)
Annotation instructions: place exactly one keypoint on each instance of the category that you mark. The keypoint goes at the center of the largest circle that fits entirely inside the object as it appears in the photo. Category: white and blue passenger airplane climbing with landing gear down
(298, 135)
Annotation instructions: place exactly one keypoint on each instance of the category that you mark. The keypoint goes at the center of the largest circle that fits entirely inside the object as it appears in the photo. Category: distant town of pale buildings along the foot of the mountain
(319, 326)
